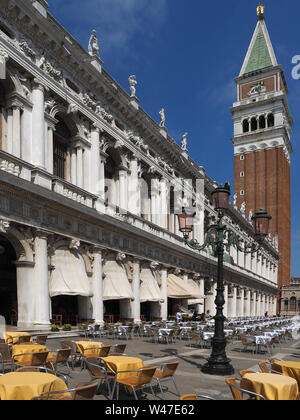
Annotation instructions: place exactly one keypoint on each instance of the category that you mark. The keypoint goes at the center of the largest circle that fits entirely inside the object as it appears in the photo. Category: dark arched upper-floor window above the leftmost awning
(61, 139)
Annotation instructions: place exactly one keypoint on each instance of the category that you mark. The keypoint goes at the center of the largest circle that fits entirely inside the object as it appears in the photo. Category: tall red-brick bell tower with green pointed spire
(262, 147)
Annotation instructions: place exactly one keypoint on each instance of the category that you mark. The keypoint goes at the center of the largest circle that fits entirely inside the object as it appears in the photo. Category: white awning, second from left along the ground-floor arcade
(115, 283)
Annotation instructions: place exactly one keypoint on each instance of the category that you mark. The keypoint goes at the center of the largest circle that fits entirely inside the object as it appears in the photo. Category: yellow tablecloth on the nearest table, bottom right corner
(271, 386)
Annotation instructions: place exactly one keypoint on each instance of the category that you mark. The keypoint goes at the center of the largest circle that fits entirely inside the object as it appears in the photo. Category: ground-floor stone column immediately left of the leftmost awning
(41, 289)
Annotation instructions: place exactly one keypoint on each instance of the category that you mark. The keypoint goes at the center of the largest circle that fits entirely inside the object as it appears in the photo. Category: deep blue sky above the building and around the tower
(185, 55)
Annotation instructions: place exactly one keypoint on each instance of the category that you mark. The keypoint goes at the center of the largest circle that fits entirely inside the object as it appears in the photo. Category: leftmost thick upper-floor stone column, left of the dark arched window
(38, 125)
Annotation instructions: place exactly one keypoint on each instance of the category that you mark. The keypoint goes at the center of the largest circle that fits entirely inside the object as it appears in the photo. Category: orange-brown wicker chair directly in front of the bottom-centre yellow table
(141, 380)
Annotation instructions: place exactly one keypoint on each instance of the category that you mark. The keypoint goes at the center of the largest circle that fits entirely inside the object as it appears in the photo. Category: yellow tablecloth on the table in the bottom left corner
(26, 385)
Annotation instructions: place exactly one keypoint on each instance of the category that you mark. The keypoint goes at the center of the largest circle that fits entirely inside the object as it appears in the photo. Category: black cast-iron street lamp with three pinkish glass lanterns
(220, 237)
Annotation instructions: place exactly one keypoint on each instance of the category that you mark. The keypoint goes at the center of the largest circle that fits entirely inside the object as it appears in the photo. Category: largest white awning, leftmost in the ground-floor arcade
(69, 275)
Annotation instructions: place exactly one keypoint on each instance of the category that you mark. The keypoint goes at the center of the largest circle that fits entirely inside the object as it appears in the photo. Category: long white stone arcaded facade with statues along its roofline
(86, 176)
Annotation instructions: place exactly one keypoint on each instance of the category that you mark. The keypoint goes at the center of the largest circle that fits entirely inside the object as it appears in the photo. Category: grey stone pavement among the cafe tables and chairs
(188, 376)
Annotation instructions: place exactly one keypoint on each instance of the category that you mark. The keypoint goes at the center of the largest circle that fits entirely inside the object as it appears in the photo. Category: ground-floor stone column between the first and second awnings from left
(97, 285)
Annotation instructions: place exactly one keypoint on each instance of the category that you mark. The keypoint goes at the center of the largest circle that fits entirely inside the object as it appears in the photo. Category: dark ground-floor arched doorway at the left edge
(8, 282)
